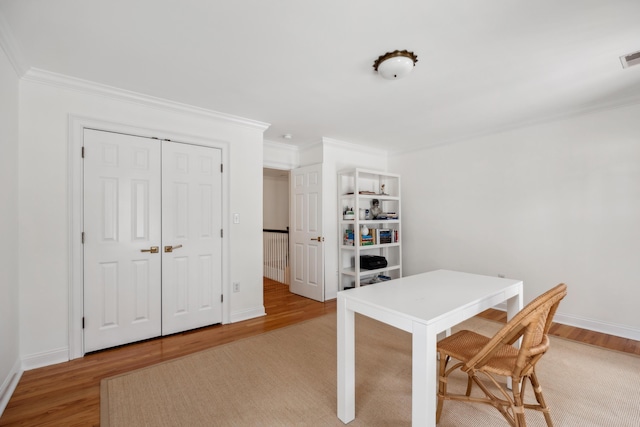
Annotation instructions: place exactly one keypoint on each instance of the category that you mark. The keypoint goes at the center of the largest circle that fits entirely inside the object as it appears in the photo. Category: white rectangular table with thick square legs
(423, 305)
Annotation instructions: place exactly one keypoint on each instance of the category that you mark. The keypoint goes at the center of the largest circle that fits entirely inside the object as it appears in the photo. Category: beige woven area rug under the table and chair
(287, 377)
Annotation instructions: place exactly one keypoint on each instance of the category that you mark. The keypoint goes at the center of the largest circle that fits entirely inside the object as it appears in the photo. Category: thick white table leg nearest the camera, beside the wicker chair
(423, 382)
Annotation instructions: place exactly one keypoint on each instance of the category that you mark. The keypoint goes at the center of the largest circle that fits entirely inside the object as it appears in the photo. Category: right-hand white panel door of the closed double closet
(191, 237)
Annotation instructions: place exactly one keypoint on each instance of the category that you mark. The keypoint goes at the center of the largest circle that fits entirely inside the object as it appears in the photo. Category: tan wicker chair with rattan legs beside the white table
(483, 358)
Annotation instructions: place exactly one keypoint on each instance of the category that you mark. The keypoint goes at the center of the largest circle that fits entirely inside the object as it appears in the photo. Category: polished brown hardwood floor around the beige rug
(69, 393)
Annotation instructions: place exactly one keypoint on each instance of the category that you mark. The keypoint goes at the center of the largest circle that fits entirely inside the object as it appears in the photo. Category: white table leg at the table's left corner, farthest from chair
(346, 362)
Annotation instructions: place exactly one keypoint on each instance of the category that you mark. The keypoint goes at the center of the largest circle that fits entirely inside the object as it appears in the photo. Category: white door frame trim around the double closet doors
(75, 183)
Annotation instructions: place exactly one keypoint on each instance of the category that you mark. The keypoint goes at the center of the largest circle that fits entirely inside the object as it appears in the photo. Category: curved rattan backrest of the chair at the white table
(531, 324)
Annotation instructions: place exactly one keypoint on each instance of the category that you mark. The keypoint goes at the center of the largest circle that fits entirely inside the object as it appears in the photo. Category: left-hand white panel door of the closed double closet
(122, 284)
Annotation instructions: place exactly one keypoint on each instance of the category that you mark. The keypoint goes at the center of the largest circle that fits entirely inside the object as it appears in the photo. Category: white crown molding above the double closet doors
(50, 78)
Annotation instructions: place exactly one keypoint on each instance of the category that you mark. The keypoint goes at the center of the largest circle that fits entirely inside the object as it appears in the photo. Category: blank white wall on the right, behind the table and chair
(556, 202)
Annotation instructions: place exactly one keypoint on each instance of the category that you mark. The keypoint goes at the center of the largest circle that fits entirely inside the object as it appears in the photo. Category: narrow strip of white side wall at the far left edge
(9, 279)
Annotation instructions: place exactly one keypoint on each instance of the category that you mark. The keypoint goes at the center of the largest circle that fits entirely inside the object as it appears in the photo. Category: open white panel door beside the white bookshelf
(307, 240)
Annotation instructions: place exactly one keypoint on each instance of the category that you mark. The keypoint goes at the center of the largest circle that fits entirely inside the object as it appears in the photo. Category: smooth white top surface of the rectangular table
(426, 297)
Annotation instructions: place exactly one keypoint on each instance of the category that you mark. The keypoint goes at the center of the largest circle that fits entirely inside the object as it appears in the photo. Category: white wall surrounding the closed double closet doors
(45, 105)
